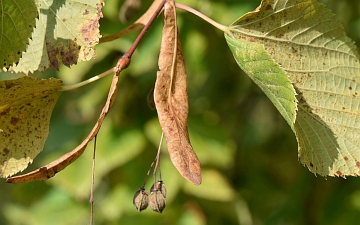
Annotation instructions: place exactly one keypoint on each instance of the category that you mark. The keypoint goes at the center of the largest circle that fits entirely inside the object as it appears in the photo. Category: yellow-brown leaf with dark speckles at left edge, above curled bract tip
(26, 105)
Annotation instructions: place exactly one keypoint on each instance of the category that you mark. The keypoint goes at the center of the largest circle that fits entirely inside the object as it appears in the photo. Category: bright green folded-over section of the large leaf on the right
(267, 74)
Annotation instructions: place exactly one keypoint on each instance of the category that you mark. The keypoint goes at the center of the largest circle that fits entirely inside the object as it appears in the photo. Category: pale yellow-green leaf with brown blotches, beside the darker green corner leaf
(66, 33)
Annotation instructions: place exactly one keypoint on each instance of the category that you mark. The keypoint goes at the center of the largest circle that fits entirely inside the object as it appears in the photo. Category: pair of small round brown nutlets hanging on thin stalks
(156, 200)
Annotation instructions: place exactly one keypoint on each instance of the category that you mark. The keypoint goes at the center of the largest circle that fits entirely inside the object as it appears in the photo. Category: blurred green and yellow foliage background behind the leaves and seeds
(251, 174)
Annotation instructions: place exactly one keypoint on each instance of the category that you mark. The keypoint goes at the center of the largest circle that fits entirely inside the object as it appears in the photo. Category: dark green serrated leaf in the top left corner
(17, 21)
